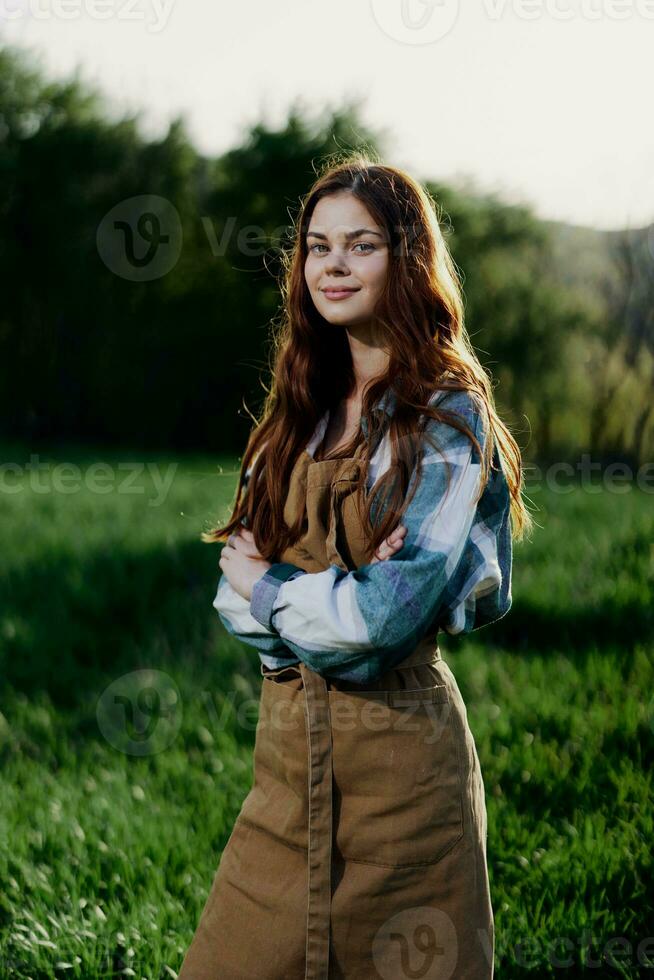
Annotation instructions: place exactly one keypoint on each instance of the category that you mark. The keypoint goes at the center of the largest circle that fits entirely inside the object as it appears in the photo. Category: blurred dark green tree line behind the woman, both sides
(562, 317)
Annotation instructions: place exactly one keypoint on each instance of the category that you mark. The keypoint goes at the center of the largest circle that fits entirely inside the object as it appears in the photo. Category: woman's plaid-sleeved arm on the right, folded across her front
(358, 624)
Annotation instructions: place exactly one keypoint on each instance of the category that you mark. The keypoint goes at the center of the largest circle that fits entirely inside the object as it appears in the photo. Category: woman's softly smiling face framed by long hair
(347, 260)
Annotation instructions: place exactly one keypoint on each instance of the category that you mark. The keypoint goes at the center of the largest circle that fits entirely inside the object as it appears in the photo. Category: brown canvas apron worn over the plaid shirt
(360, 850)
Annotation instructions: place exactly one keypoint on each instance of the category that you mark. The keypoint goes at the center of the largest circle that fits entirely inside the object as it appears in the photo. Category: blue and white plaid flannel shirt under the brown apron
(453, 570)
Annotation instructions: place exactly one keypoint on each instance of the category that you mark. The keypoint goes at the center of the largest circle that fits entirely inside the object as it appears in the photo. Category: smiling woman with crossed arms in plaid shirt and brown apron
(377, 502)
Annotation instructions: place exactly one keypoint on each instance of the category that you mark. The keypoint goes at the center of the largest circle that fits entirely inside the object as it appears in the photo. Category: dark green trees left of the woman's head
(88, 354)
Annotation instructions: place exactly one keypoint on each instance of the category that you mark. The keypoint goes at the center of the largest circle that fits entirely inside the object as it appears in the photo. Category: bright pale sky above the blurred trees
(544, 101)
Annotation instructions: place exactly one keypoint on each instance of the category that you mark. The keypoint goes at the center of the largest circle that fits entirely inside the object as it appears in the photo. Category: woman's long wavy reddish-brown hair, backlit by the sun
(420, 316)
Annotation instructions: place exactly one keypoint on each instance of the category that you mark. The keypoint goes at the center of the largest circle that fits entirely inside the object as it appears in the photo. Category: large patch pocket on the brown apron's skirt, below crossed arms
(398, 793)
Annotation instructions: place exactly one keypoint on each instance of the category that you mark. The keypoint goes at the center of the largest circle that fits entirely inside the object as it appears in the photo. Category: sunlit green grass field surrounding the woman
(109, 839)
